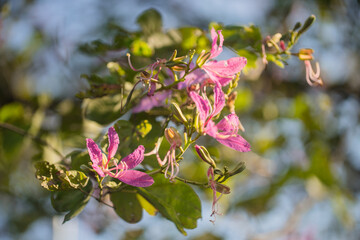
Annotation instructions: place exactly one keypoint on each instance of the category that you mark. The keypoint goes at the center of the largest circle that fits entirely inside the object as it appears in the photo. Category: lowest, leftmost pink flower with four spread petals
(122, 169)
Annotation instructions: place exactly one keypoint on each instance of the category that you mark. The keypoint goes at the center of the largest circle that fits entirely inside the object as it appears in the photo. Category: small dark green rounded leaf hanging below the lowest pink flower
(127, 206)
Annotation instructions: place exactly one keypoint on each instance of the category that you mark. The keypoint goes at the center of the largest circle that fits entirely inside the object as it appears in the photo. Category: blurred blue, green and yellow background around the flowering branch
(302, 177)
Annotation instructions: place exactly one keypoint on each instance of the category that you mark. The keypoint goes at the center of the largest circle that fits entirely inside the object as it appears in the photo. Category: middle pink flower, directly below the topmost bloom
(226, 130)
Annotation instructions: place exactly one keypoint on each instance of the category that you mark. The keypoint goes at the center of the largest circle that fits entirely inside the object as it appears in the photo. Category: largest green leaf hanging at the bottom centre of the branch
(175, 201)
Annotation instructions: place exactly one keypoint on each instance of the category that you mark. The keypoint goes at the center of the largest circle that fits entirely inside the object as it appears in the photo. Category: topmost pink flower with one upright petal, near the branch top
(222, 71)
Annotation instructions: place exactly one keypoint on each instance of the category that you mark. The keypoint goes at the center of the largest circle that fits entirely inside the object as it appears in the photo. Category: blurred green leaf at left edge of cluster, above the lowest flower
(103, 110)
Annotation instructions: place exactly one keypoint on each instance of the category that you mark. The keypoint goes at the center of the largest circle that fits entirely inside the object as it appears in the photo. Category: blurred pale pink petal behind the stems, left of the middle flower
(149, 102)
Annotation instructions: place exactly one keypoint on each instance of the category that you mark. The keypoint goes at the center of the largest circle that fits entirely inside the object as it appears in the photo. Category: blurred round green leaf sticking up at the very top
(150, 21)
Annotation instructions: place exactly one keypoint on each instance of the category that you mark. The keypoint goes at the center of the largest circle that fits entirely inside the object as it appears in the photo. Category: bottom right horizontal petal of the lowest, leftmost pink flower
(136, 178)
